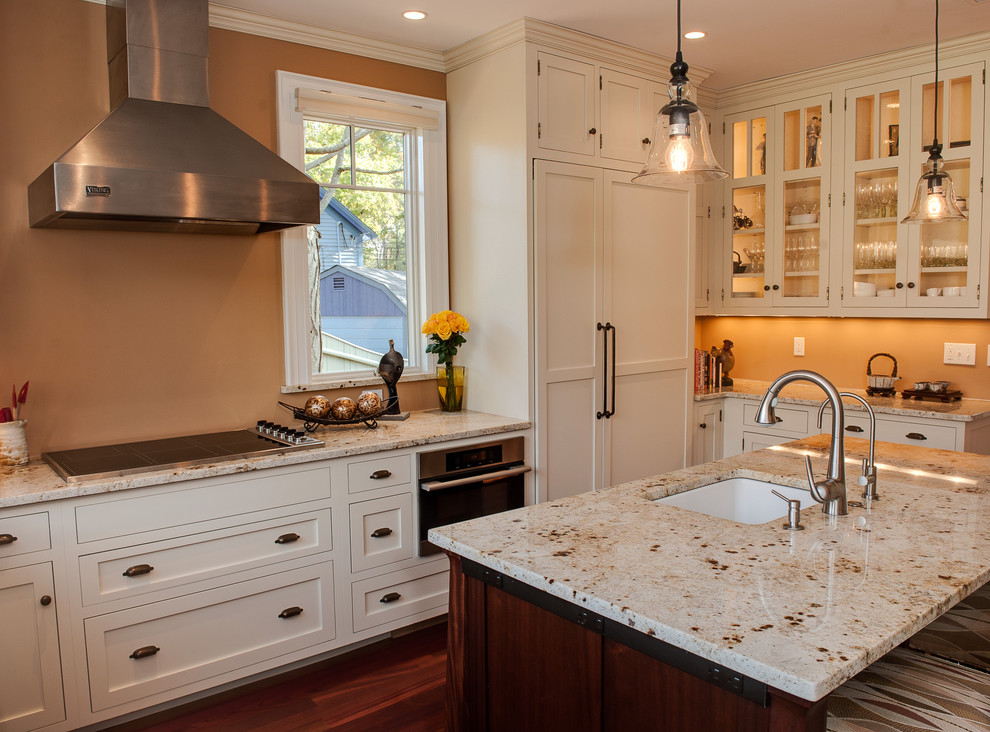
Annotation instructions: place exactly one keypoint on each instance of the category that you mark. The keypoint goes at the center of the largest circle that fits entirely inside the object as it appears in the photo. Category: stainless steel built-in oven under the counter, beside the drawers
(463, 483)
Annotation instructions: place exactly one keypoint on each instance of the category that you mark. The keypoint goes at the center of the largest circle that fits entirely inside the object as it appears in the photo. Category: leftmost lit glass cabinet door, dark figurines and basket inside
(747, 209)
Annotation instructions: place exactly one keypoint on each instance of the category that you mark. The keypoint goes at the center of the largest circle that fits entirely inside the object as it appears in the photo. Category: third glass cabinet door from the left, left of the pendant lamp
(876, 182)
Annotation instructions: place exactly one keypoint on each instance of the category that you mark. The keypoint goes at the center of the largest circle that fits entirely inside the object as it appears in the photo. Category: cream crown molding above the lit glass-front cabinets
(847, 72)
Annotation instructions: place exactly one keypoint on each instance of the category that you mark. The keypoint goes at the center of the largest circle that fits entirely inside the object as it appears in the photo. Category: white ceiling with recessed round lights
(746, 41)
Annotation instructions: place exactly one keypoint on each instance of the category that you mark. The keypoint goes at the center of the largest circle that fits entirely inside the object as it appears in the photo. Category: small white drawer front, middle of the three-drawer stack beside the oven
(381, 531)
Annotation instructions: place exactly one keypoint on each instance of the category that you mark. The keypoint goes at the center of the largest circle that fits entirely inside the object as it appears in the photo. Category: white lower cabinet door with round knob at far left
(31, 672)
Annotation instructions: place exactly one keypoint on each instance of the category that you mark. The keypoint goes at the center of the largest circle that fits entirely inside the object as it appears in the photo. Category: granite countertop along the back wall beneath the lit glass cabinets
(963, 410)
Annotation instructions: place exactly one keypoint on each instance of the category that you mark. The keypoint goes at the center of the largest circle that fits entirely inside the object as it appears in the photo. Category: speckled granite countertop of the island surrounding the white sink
(801, 611)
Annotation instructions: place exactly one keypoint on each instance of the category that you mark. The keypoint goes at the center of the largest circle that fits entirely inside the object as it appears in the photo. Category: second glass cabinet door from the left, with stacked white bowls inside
(799, 274)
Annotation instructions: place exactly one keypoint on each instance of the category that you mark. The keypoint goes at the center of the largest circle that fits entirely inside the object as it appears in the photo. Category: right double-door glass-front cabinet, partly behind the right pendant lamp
(887, 264)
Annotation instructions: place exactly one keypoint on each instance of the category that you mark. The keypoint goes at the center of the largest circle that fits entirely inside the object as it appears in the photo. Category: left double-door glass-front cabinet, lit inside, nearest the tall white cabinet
(776, 201)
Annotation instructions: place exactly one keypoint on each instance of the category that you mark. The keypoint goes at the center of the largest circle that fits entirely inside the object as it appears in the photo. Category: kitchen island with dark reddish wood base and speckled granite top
(607, 610)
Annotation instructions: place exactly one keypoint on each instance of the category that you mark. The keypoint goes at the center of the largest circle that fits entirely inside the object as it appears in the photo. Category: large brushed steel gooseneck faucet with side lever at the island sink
(831, 492)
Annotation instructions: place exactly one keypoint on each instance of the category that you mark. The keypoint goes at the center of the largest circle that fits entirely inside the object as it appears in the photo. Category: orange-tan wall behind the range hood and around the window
(132, 336)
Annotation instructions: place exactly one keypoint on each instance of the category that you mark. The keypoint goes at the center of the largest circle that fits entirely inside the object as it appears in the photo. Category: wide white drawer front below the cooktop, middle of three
(125, 572)
